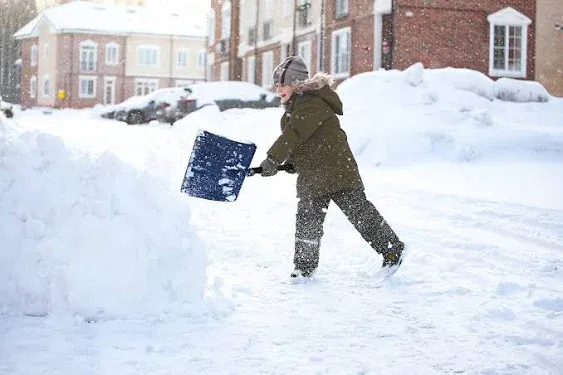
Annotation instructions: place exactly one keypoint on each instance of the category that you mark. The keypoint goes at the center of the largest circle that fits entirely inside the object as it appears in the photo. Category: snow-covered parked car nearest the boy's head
(225, 95)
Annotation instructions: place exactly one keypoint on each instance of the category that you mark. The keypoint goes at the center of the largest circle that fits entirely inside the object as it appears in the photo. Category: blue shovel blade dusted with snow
(217, 167)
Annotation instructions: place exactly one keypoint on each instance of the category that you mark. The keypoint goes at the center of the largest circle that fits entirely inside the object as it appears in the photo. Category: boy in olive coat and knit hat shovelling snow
(313, 141)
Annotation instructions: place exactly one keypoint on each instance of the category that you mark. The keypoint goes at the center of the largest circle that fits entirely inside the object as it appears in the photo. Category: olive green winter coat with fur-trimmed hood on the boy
(314, 142)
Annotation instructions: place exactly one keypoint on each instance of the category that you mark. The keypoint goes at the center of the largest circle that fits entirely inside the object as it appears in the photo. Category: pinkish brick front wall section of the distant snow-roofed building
(68, 72)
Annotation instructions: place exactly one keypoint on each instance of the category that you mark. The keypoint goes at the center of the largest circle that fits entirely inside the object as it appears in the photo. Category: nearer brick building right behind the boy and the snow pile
(500, 38)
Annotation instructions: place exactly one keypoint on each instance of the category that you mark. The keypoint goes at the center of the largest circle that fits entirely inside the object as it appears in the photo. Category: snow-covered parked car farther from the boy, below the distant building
(143, 109)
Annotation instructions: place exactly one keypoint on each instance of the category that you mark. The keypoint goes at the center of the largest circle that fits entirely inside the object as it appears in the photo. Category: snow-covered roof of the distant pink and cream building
(83, 17)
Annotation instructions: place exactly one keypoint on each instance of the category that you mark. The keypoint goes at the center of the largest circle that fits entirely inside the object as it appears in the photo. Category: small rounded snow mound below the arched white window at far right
(513, 90)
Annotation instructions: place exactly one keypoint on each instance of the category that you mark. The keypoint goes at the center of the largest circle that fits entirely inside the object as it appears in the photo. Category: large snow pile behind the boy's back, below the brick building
(448, 115)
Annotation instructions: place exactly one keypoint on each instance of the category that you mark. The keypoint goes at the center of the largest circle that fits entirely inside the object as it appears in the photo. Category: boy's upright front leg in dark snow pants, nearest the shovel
(311, 213)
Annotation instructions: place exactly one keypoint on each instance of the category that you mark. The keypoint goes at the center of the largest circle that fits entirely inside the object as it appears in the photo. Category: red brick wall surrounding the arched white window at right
(442, 33)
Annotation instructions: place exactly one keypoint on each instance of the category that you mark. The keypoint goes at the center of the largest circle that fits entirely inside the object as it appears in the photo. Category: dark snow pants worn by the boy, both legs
(311, 213)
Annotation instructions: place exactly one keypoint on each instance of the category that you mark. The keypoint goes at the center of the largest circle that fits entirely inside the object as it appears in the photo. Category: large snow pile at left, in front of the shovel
(90, 236)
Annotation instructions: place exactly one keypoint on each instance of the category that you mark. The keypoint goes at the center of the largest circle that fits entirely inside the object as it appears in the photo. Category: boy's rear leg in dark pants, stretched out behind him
(368, 221)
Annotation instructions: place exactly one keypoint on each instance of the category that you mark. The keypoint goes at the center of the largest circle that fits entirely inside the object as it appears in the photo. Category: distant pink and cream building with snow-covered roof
(81, 54)
